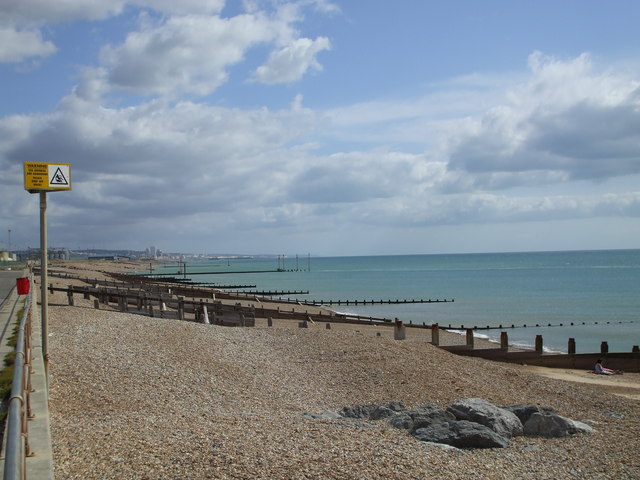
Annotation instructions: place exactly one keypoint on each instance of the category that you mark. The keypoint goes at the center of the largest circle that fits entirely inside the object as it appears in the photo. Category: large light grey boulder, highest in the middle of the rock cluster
(500, 420)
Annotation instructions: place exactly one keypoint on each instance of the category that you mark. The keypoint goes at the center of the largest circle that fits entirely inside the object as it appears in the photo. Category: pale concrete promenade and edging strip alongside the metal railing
(40, 464)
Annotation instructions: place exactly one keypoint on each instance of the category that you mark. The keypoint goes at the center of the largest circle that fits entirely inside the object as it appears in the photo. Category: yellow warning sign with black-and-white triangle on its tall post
(42, 178)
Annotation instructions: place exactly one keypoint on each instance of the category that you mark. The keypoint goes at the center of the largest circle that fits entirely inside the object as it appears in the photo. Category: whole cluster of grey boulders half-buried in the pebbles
(468, 423)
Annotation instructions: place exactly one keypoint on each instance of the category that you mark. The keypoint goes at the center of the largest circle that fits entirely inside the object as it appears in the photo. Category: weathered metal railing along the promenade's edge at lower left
(19, 410)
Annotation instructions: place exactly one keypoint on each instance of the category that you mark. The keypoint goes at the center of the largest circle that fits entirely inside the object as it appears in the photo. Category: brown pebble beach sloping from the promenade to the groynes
(134, 397)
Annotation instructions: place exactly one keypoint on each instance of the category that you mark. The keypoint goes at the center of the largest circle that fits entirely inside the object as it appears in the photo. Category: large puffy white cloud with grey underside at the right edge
(567, 118)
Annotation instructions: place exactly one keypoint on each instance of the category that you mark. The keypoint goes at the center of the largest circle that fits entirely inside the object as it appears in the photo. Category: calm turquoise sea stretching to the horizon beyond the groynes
(590, 296)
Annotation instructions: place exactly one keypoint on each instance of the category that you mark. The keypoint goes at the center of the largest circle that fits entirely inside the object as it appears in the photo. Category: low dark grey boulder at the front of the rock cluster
(461, 434)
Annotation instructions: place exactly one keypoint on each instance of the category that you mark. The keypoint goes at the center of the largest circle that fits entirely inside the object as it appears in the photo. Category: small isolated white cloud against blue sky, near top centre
(290, 63)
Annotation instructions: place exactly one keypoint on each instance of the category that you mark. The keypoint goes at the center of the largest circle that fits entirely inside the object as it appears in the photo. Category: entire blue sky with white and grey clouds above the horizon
(325, 127)
